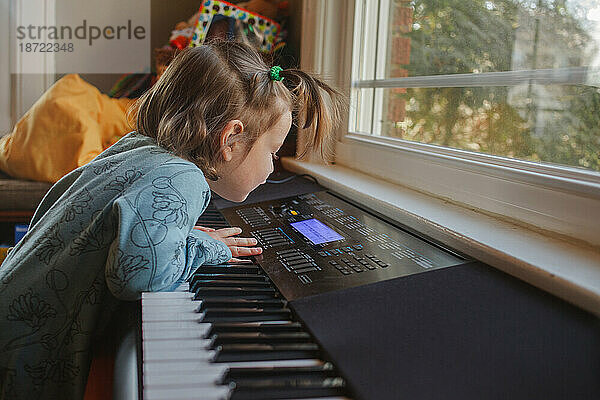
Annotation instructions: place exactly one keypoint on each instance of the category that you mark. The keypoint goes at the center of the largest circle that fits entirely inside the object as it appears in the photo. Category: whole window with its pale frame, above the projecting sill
(498, 153)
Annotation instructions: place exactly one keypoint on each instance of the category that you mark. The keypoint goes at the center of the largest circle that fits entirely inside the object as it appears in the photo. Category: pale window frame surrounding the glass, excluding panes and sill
(558, 200)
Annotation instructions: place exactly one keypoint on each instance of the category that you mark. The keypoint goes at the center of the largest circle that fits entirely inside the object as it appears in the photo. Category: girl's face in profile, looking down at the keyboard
(240, 173)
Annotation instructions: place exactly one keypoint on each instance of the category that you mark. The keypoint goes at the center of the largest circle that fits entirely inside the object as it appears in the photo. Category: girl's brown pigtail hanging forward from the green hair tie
(318, 108)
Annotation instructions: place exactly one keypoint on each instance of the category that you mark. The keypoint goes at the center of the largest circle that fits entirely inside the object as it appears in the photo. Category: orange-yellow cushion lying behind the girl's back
(66, 128)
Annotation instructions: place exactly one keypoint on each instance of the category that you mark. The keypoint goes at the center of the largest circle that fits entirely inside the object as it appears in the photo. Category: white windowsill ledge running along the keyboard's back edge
(568, 270)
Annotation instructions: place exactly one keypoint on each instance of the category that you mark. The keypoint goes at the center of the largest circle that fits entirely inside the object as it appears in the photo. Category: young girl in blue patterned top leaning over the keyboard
(124, 223)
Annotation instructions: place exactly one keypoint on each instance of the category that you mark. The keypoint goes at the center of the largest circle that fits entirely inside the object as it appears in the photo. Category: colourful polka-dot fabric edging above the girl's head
(258, 30)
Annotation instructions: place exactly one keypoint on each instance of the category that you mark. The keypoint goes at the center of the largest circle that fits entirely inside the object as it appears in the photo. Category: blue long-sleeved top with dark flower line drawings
(107, 231)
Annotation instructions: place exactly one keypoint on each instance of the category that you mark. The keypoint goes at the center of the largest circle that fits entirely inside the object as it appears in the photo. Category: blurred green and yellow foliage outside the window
(551, 123)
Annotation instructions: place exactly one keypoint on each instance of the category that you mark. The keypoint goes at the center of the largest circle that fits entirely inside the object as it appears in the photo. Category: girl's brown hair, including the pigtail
(207, 86)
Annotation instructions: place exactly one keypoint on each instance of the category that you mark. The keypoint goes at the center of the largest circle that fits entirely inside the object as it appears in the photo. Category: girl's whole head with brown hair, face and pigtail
(217, 106)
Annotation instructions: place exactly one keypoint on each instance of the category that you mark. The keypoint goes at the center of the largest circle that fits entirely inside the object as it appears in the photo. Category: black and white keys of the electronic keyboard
(230, 344)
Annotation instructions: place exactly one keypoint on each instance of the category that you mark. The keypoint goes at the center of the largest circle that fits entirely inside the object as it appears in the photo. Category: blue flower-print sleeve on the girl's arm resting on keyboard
(155, 245)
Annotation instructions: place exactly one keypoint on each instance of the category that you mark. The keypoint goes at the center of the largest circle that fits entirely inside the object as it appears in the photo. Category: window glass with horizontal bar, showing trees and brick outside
(512, 78)
